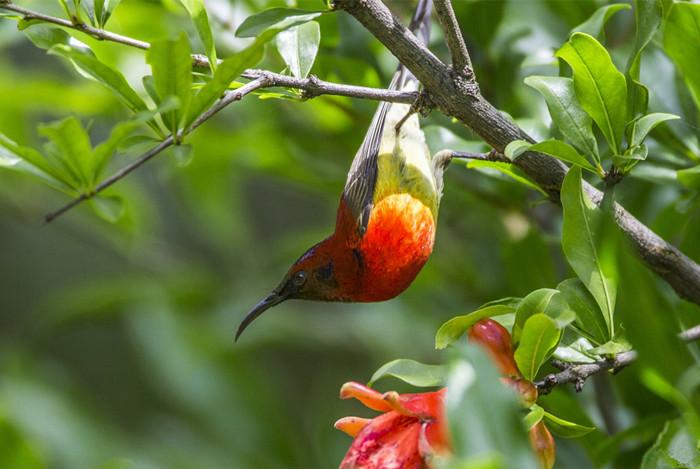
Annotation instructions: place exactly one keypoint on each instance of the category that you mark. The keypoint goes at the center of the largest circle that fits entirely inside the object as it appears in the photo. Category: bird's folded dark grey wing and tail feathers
(359, 187)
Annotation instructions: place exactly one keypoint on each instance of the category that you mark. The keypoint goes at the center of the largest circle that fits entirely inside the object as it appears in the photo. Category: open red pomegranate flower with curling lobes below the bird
(407, 435)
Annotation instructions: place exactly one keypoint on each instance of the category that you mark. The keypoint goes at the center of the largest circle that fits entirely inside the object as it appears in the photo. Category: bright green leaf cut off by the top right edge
(682, 43)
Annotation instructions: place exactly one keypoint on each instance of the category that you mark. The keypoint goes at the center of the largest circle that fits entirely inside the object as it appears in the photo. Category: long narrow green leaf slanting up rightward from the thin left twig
(225, 73)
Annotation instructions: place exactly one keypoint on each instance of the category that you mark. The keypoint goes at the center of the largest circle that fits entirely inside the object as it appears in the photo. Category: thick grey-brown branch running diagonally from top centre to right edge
(456, 97)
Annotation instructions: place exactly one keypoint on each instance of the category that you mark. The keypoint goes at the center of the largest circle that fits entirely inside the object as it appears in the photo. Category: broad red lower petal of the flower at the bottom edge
(389, 441)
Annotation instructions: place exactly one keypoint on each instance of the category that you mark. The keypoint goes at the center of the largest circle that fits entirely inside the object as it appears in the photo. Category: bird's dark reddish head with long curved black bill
(320, 274)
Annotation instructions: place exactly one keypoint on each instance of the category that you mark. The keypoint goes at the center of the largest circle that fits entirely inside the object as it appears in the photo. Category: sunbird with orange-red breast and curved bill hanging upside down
(386, 220)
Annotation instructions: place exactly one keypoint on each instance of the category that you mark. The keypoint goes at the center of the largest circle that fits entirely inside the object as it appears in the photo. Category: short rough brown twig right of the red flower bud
(577, 373)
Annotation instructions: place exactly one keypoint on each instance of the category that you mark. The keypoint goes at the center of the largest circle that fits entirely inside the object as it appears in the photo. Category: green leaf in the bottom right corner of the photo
(675, 447)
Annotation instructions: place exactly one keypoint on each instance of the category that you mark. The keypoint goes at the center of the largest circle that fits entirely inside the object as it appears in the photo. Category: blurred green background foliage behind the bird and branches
(116, 344)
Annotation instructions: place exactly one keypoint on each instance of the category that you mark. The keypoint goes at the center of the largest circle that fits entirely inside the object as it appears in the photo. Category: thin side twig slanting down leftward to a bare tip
(228, 98)
